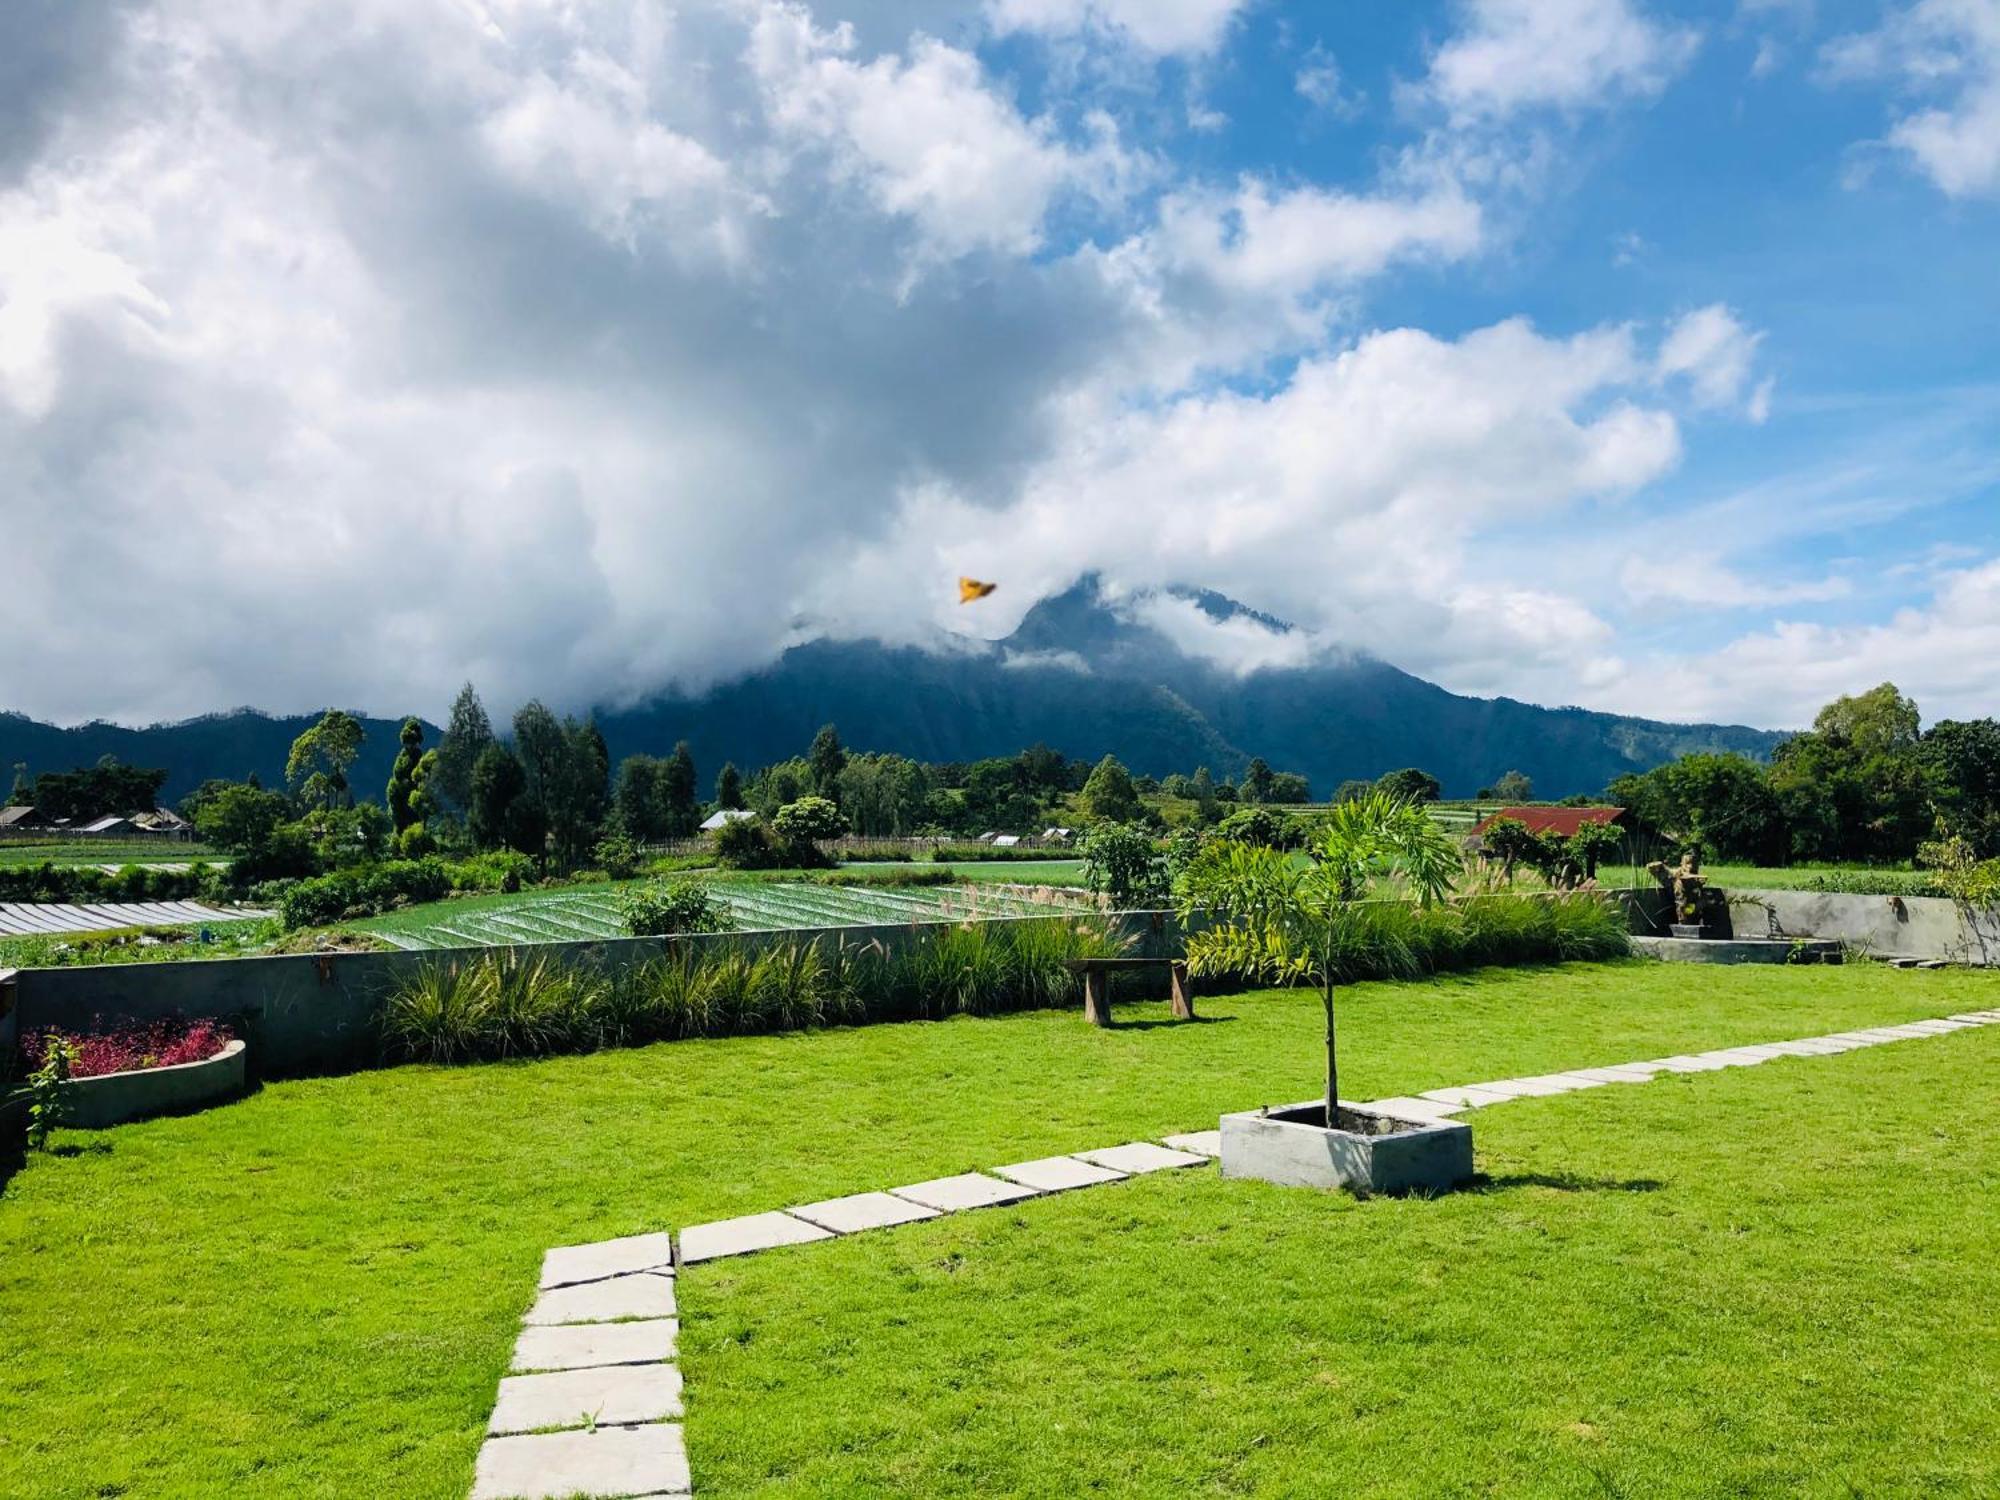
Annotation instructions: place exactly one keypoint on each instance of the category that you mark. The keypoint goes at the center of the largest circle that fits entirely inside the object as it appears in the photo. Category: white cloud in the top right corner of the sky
(1945, 51)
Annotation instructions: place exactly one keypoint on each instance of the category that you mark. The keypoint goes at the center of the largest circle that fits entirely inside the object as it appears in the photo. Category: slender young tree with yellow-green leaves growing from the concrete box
(1281, 921)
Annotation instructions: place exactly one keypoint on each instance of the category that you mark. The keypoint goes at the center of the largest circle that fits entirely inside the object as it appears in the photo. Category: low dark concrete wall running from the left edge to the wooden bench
(317, 1013)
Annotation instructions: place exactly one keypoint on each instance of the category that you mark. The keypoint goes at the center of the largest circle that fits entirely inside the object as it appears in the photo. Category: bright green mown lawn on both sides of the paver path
(1765, 1281)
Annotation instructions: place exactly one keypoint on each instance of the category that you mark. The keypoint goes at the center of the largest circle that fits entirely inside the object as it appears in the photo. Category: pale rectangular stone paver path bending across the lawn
(595, 1399)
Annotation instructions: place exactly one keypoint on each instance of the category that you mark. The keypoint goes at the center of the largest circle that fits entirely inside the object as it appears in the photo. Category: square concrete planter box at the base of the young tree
(1295, 1149)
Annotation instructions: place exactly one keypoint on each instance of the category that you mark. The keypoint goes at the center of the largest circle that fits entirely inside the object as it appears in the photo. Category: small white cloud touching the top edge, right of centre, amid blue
(1571, 55)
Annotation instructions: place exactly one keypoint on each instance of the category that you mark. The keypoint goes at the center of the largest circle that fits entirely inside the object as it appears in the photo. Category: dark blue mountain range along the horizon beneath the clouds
(1083, 673)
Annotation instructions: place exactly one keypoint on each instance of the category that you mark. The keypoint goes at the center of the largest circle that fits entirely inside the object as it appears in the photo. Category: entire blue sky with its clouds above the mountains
(1619, 353)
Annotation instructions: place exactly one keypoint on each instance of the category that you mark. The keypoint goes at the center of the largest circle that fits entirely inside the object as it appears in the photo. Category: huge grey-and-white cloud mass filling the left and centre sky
(597, 349)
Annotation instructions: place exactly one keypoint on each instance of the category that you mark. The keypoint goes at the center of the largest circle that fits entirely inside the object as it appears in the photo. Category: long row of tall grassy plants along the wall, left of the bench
(497, 1005)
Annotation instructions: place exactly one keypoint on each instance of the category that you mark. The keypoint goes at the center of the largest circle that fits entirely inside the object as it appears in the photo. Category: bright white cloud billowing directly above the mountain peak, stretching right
(1347, 501)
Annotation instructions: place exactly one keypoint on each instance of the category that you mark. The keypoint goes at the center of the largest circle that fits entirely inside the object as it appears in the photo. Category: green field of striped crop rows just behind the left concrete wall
(757, 905)
